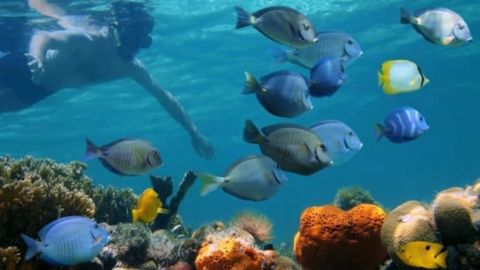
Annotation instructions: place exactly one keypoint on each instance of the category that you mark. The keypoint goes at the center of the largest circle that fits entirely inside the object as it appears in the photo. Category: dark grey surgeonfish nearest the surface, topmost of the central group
(281, 24)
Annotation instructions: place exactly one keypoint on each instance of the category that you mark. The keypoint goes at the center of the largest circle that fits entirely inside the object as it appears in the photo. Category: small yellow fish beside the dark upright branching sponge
(148, 207)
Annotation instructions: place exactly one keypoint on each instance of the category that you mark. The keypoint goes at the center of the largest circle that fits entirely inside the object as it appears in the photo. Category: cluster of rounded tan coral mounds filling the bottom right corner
(452, 219)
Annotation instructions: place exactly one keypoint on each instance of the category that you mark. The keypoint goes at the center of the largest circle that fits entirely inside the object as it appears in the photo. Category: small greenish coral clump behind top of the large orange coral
(349, 197)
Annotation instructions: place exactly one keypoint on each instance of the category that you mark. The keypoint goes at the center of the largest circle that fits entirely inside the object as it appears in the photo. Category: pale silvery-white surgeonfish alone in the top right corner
(438, 25)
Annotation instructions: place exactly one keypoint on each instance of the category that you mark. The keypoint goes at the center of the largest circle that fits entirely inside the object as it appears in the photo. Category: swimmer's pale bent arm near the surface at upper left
(63, 40)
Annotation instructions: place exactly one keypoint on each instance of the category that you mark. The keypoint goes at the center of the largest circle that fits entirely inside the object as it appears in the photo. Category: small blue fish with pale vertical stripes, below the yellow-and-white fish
(402, 125)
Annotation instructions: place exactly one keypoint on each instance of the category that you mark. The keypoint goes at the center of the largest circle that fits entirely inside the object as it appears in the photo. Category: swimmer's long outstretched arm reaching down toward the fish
(141, 75)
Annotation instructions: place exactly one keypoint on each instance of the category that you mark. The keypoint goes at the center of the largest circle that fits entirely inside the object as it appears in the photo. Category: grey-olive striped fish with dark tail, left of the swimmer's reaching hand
(125, 156)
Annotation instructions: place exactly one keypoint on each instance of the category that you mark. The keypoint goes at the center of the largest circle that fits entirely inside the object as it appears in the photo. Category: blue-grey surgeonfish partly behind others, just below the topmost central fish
(334, 44)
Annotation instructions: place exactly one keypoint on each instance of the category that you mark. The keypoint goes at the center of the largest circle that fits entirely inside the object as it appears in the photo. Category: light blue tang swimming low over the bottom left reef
(68, 241)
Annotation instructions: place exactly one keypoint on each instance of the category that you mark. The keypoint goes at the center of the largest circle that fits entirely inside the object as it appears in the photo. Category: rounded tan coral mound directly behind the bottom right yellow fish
(411, 221)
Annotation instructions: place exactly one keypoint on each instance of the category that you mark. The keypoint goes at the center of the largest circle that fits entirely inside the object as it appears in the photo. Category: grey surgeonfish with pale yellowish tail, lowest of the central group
(254, 178)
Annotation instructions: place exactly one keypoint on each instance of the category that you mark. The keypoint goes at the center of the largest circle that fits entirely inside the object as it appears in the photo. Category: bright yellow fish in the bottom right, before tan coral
(423, 254)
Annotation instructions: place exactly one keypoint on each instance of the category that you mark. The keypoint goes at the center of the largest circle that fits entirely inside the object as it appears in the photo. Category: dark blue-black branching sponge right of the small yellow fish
(164, 188)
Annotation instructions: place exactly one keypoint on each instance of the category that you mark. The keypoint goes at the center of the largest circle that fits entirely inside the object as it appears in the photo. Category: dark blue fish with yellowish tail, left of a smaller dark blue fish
(282, 93)
